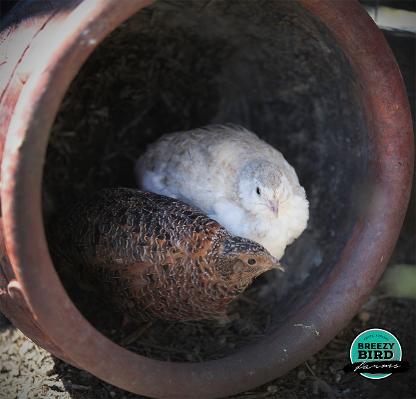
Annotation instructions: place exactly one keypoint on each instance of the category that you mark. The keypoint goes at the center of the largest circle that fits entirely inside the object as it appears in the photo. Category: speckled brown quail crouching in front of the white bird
(153, 255)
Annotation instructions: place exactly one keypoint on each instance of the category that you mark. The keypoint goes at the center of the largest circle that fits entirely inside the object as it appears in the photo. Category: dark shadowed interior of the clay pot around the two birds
(177, 65)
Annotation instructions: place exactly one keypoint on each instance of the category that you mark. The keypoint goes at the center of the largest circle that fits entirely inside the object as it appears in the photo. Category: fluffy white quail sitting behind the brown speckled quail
(233, 176)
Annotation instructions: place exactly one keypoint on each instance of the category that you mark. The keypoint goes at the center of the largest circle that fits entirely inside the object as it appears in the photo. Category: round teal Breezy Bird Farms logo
(373, 346)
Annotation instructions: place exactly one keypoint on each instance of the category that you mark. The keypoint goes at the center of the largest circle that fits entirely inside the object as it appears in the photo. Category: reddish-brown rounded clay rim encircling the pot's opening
(337, 300)
